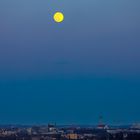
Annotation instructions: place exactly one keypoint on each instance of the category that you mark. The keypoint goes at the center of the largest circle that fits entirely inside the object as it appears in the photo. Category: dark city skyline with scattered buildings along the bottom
(51, 132)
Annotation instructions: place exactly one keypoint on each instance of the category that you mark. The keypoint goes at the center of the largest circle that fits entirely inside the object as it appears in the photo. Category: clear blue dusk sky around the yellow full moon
(70, 72)
